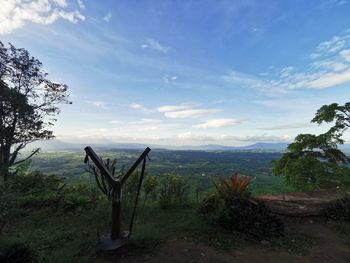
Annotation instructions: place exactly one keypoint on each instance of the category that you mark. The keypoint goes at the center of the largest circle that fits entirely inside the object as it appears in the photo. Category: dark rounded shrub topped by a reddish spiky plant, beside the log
(232, 209)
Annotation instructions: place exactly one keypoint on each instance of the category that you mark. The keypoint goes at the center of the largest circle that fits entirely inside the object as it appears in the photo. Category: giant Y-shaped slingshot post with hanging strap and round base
(116, 238)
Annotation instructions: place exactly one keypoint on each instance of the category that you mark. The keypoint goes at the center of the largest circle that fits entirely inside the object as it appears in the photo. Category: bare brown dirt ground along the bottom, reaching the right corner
(329, 248)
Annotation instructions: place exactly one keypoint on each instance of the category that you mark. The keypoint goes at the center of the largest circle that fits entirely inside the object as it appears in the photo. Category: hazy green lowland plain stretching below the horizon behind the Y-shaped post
(197, 166)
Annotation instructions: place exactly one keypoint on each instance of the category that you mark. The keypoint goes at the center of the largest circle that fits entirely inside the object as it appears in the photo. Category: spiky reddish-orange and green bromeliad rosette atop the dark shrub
(232, 187)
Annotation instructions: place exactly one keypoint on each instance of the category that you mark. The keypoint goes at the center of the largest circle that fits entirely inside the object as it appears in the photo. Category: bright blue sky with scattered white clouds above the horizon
(187, 72)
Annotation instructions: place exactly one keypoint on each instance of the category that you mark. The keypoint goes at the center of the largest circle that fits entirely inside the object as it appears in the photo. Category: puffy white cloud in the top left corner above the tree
(14, 14)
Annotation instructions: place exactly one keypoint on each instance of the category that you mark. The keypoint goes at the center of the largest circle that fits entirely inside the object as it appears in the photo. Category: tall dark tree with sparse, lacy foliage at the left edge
(28, 104)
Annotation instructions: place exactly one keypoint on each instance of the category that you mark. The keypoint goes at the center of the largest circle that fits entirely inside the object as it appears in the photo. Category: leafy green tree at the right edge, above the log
(314, 161)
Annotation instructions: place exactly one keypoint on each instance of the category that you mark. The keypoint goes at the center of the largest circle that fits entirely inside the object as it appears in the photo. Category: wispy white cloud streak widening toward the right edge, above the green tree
(329, 67)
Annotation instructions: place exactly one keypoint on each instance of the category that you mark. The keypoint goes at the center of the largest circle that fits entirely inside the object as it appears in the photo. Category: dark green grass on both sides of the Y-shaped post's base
(69, 236)
